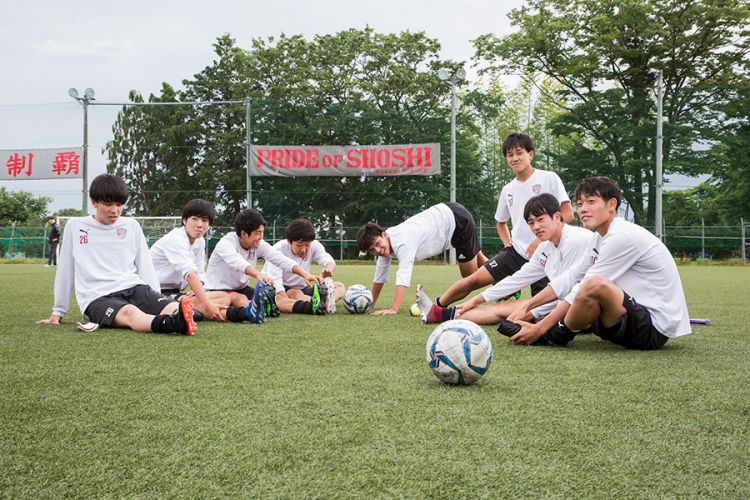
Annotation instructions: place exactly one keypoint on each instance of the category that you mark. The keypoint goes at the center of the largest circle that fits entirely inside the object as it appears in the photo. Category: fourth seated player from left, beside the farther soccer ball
(293, 295)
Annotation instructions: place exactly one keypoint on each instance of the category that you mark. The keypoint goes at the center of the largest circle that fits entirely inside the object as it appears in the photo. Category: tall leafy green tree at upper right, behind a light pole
(606, 55)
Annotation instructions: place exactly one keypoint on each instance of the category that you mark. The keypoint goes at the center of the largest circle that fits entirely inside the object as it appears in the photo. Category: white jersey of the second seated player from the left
(175, 257)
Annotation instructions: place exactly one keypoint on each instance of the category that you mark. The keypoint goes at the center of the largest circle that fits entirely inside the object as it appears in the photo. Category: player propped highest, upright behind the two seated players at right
(518, 150)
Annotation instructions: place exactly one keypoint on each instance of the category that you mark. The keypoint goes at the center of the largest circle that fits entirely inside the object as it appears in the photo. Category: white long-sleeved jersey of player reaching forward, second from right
(547, 261)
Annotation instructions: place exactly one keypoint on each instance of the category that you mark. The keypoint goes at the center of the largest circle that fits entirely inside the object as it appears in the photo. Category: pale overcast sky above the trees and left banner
(50, 46)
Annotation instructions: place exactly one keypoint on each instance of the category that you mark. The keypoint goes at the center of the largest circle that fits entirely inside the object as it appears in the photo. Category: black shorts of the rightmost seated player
(634, 330)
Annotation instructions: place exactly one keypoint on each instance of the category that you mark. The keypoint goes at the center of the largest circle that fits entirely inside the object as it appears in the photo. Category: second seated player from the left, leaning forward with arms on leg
(179, 258)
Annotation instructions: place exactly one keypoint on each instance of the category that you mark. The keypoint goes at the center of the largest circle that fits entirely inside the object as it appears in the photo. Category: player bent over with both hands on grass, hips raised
(421, 236)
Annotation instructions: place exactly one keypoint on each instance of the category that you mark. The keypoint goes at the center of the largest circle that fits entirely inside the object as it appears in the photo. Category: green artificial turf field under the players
(345, 406)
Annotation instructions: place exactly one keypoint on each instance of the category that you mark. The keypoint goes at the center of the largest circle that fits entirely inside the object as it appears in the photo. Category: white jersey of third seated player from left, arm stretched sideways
(226, 267)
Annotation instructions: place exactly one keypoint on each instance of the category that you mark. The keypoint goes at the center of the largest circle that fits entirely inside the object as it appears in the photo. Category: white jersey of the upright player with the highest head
(513, 199)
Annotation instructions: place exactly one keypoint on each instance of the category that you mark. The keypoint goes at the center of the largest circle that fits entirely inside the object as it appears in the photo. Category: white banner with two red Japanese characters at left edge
(24, 164)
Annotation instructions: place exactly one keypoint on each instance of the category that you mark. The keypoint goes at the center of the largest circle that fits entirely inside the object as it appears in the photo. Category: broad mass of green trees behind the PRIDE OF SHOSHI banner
(351, 87)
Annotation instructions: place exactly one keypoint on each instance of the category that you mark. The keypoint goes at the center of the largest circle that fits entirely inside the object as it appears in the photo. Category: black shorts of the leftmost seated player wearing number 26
(104, 309)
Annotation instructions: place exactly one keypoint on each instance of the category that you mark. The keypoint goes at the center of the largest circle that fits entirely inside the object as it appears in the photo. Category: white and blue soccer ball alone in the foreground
(459, 352)
